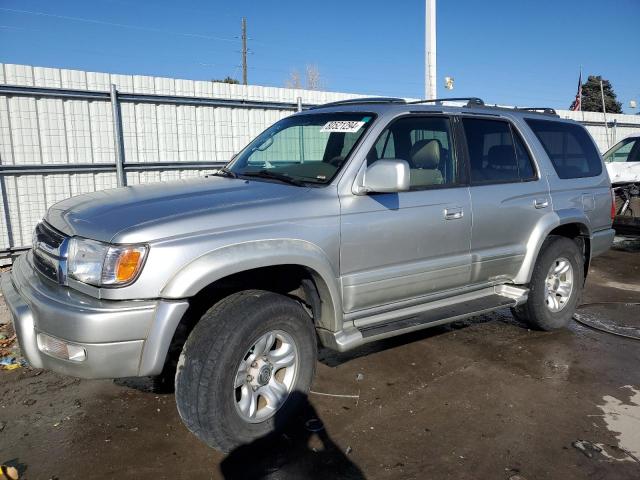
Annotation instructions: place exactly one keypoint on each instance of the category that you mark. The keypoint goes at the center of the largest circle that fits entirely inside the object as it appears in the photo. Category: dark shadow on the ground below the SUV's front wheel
(298, 448)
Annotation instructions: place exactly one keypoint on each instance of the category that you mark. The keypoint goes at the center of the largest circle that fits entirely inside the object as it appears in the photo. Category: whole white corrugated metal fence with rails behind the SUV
(68, 132)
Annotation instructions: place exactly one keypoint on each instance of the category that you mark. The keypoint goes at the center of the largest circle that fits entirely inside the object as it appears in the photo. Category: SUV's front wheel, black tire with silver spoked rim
(240, 366)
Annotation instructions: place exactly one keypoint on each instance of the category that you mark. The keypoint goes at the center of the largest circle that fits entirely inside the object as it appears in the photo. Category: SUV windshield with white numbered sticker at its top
(303, 148)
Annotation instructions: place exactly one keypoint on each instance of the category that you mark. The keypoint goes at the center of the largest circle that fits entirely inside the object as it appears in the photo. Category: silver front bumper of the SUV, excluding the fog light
(121, 338)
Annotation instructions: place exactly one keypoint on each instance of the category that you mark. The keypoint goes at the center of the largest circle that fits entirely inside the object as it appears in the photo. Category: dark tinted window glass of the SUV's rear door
(497, 154)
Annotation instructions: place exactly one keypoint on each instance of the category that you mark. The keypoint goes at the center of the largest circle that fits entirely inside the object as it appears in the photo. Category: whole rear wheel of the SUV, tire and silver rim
(556, 285)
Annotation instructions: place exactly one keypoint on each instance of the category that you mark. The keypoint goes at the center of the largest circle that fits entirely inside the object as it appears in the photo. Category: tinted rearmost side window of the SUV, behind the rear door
(569, 148)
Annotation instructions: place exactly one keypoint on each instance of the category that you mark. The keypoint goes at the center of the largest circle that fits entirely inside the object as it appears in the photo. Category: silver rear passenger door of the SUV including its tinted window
(508, 197)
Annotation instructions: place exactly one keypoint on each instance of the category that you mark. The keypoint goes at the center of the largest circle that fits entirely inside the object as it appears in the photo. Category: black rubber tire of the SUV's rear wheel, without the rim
(535, 311)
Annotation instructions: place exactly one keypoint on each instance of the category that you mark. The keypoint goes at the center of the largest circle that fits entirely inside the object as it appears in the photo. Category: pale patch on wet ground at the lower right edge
(622, 417)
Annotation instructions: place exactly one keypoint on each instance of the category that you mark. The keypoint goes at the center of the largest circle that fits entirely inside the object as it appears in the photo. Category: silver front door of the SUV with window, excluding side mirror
(400, 246)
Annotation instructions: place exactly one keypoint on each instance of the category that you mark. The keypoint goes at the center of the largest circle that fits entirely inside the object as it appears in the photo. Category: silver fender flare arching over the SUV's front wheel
(240, 257)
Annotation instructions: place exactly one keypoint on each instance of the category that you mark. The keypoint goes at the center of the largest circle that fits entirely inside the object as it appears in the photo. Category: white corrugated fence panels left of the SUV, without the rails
(53, 131)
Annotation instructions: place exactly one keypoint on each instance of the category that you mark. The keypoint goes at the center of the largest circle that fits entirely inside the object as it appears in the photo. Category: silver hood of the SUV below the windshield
(104, 214)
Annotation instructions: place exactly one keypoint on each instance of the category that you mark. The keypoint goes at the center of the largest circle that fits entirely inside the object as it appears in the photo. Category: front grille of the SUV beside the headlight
(49, 251)
